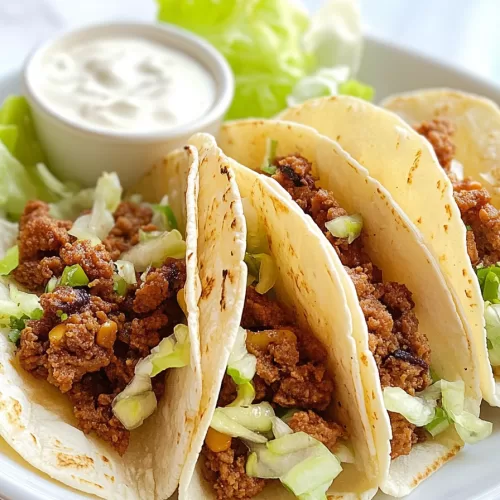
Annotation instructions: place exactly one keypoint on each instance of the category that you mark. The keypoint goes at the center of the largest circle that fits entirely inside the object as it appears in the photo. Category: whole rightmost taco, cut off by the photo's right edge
(459, 127)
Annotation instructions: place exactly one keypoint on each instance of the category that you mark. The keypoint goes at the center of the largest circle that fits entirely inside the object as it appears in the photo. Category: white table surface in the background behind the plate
(461, 32)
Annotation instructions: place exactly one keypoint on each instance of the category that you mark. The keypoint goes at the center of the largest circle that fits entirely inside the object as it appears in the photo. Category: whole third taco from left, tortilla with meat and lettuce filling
(397, 296)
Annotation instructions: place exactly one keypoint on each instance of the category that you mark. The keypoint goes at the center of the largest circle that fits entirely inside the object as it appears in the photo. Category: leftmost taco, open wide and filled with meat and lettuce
(93, 312)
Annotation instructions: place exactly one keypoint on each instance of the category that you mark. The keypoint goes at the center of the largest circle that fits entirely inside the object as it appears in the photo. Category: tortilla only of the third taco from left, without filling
(396, 248)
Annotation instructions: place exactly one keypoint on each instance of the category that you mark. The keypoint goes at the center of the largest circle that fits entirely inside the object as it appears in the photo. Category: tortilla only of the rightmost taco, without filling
(405, 163)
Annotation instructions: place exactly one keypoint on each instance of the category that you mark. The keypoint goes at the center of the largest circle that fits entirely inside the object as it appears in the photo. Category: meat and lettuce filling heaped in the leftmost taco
(99, 308)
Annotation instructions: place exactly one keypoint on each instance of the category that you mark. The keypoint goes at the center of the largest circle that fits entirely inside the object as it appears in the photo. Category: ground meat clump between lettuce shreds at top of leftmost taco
(129, 218)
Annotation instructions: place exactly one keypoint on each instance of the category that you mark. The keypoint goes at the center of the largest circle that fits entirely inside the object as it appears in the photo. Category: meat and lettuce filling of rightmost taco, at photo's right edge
(482, 221)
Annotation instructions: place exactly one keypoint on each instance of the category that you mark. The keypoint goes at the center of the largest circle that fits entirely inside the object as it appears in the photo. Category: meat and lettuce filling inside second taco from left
(273, 419)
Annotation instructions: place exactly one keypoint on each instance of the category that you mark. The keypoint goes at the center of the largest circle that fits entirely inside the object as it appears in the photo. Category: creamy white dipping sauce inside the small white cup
(127, 84)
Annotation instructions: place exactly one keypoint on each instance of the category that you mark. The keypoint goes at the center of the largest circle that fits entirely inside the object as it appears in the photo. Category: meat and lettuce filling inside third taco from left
(418, 408)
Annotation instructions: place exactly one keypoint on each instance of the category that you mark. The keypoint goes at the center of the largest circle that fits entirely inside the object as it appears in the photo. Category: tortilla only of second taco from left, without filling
(320, 303)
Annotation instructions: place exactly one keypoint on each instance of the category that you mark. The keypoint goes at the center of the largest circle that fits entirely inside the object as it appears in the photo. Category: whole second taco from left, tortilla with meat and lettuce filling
(282, 403)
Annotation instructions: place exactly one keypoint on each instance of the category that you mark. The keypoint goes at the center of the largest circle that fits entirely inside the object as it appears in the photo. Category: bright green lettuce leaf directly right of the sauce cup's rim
(261, 40)
